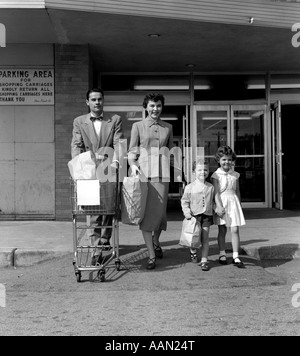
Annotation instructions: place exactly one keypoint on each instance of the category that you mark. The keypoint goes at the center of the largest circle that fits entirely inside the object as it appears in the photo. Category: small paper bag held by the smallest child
(190, 233)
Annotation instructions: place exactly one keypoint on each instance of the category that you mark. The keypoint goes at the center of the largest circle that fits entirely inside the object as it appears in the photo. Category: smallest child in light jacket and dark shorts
(196, 202)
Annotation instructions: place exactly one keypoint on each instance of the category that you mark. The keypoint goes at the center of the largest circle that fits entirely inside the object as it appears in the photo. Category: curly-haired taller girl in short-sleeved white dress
(228, 207)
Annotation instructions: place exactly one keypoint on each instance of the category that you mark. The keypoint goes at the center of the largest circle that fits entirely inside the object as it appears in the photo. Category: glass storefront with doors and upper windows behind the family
(250, 123)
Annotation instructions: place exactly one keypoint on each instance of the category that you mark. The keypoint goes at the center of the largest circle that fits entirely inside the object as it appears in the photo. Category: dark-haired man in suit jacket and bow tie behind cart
(100, 133)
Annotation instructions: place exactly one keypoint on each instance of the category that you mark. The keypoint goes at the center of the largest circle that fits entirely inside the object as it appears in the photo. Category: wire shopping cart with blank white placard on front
(105, 200)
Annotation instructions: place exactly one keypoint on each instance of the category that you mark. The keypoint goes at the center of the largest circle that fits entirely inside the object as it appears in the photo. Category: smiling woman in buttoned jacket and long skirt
(151, 140)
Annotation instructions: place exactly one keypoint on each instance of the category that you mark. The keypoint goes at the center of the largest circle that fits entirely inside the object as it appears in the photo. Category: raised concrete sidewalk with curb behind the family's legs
(268, 234)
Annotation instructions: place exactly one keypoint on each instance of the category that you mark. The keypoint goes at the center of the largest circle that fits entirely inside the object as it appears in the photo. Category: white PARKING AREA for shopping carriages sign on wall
(26, 86)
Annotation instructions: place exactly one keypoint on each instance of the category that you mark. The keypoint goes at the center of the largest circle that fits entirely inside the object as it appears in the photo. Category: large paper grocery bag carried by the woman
(133, 200)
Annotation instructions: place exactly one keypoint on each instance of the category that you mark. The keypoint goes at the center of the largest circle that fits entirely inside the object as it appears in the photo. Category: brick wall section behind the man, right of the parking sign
(72, 80)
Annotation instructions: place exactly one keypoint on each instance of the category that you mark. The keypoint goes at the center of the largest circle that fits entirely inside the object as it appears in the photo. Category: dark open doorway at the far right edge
(290, 124)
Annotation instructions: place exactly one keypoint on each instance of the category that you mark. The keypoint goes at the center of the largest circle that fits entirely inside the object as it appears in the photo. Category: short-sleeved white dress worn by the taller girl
(227, 188)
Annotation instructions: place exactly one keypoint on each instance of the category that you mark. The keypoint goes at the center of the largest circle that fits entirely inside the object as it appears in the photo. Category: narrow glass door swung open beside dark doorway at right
(277, 156)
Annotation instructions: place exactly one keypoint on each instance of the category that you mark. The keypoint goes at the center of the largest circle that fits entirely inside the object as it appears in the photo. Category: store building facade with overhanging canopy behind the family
(230, 73)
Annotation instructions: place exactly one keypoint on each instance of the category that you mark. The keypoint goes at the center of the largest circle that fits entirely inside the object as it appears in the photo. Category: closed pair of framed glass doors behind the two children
(243, 128)
